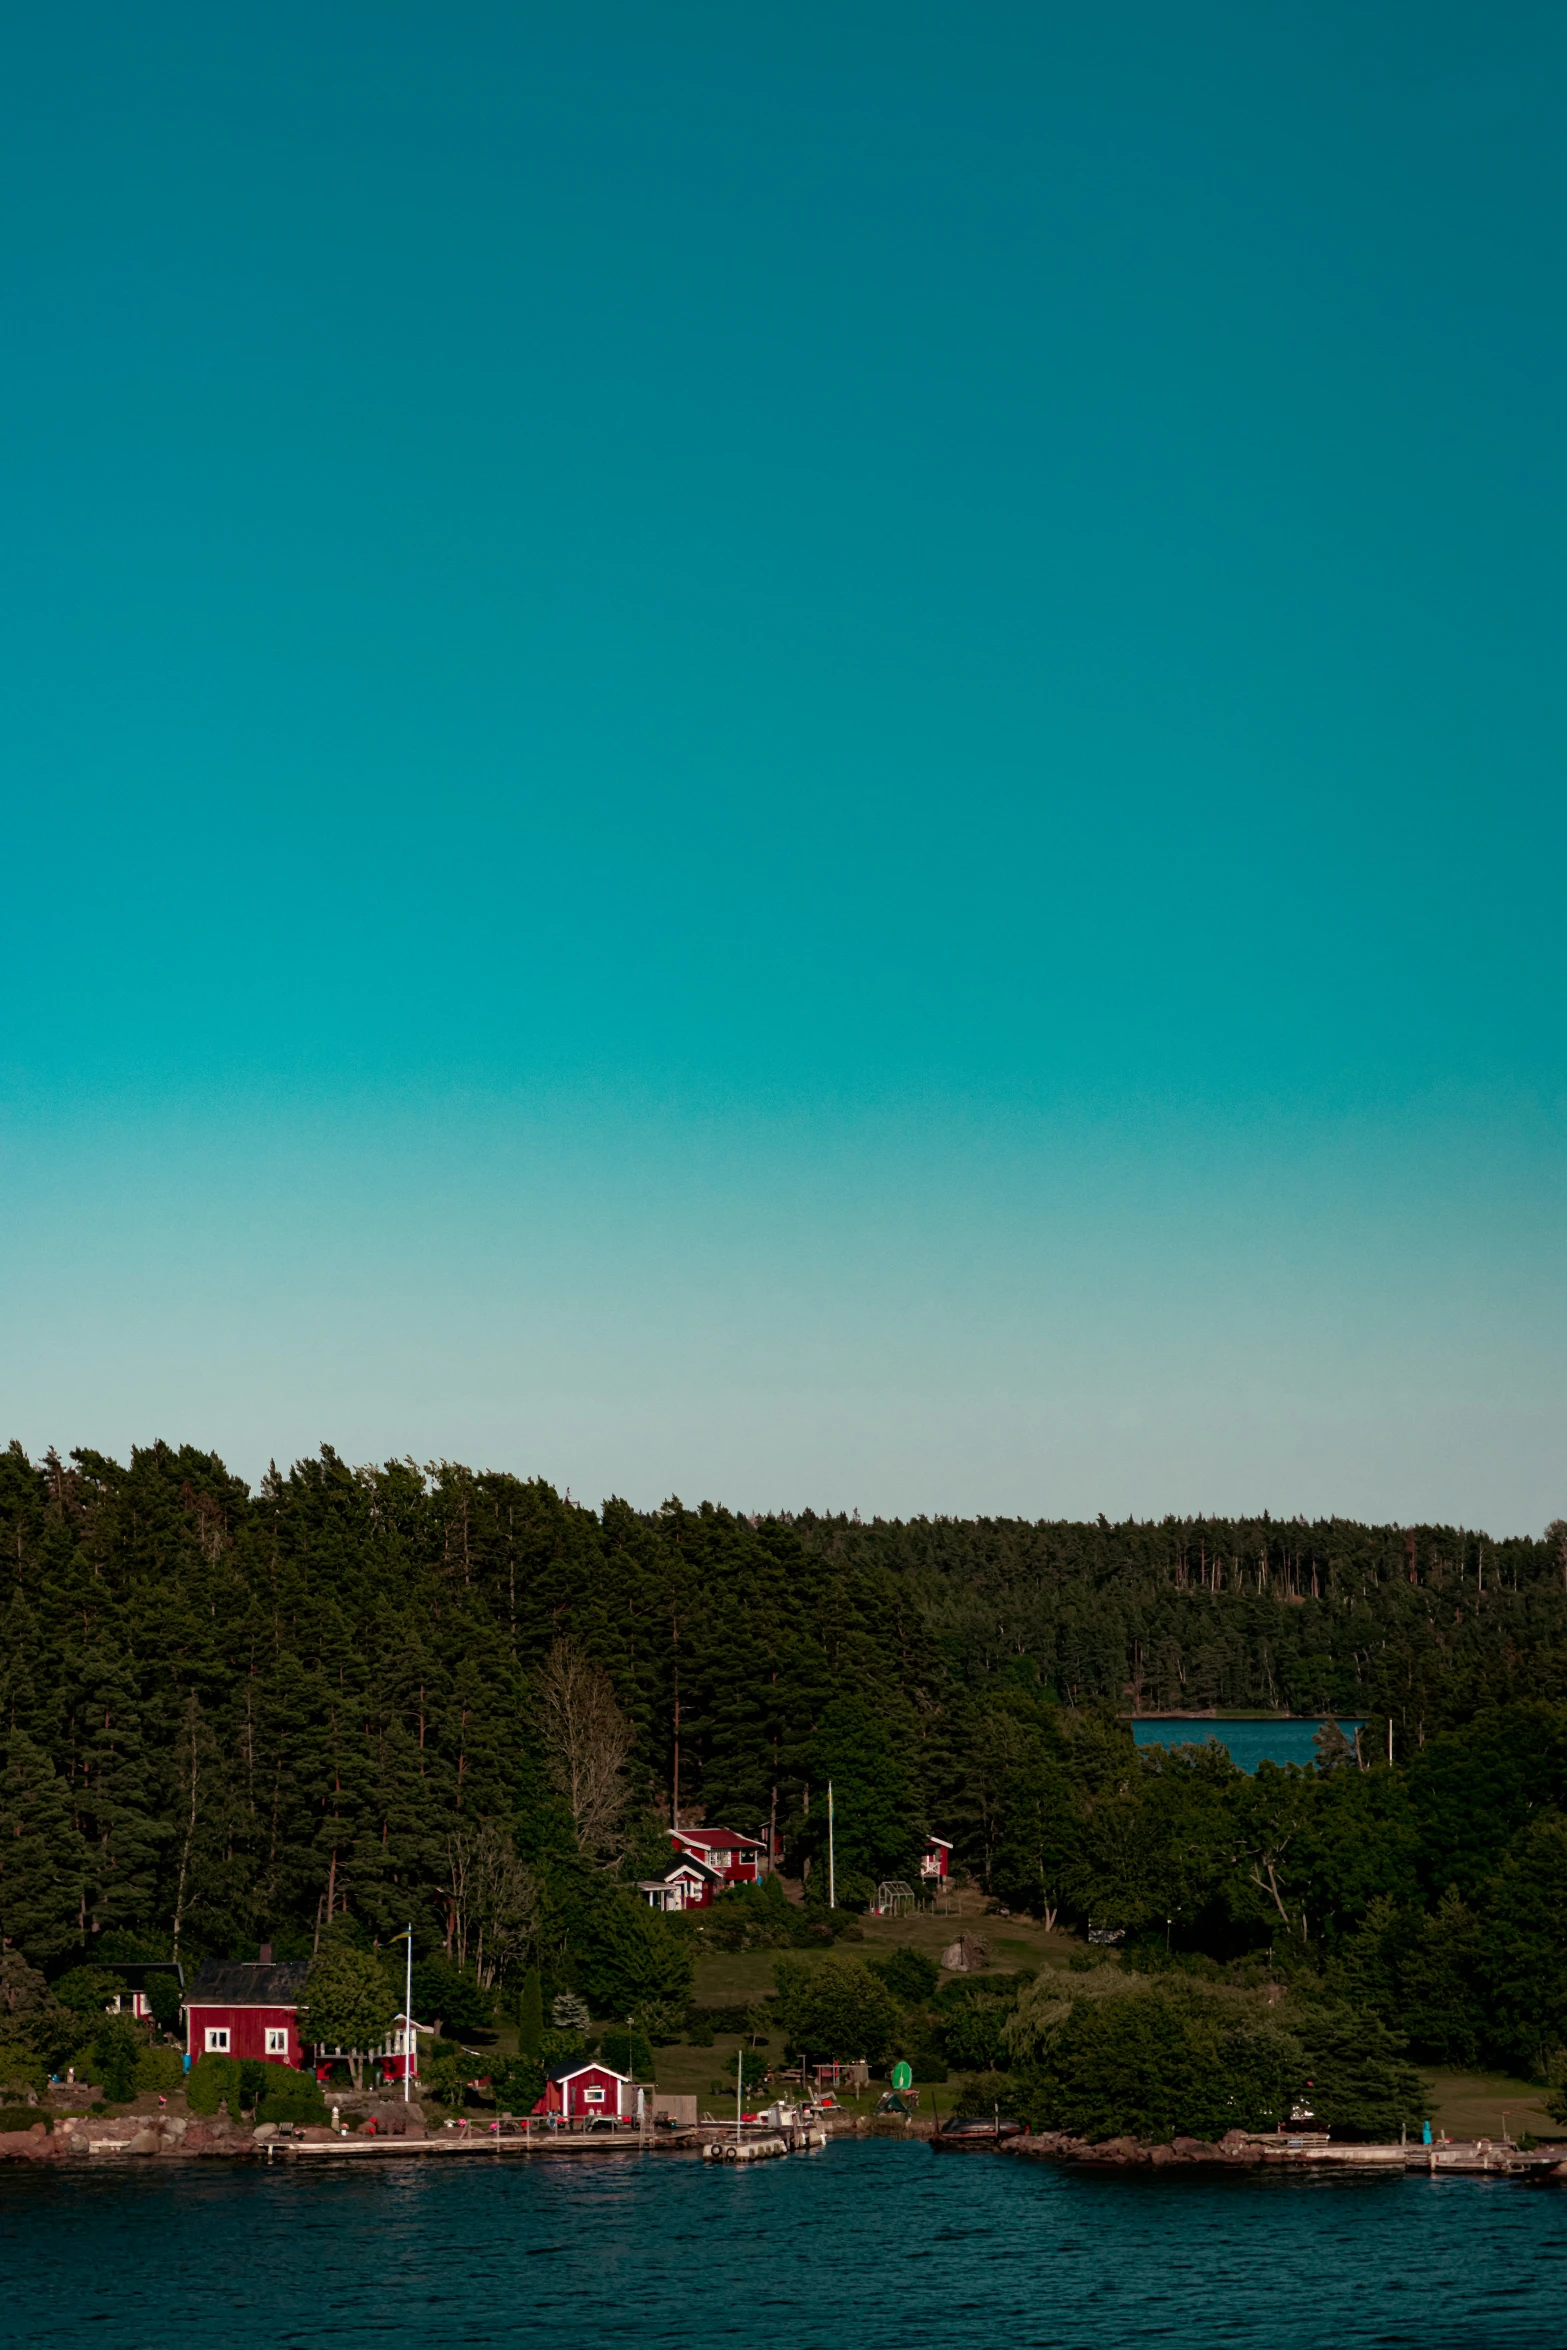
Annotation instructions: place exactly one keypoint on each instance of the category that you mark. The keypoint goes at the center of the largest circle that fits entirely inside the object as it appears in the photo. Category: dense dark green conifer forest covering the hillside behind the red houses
(365, 1698)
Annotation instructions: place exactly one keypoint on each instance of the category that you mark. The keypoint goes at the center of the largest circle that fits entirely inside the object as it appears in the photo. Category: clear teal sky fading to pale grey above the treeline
(807, 756)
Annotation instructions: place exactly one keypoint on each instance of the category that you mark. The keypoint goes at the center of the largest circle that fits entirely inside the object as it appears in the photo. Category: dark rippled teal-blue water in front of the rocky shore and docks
(859, 2245)
